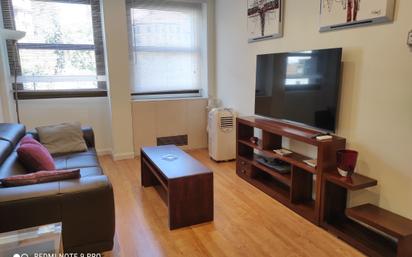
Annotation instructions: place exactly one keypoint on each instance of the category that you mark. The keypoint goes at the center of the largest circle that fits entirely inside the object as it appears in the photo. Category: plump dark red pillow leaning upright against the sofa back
(34, 156)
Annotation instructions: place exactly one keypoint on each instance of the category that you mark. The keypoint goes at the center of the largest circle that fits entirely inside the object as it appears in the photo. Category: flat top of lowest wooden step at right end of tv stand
(381, 219)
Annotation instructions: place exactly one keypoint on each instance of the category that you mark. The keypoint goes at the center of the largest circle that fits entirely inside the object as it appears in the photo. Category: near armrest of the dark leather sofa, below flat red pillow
(85, 204)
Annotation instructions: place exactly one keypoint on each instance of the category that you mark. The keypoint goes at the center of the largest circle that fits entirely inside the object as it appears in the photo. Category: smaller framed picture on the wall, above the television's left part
(264, 19)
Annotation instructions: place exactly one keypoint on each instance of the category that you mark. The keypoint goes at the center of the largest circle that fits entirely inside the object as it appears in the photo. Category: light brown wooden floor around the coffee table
(247, 222)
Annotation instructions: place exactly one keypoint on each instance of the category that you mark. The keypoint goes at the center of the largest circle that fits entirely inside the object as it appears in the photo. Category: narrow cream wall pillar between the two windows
(117, 66)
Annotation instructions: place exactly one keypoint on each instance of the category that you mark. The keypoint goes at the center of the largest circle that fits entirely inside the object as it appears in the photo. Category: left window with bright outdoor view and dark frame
(62, 51)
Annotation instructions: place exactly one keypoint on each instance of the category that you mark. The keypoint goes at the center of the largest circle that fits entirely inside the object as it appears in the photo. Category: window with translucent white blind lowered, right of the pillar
(166, 47)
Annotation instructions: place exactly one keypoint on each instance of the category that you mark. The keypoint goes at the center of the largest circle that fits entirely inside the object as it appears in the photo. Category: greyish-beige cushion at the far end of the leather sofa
(62, 138)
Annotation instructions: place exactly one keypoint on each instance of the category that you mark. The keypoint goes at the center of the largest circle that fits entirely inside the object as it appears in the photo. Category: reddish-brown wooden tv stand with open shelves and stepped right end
(329, 206)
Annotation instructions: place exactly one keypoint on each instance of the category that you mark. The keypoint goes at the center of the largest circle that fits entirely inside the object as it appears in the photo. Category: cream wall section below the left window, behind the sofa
(94, 112)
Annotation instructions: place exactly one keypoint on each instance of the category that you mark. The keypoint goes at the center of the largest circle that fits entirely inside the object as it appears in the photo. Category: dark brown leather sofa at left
(85, 206)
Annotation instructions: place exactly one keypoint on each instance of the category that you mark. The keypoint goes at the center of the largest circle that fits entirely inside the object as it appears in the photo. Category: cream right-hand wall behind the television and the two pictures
(376, 105)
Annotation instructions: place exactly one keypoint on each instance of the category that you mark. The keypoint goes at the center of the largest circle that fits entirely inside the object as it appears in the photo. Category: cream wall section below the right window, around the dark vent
(164, 118)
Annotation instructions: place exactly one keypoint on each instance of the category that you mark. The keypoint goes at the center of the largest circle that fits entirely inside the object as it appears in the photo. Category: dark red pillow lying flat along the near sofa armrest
(40, 177)
